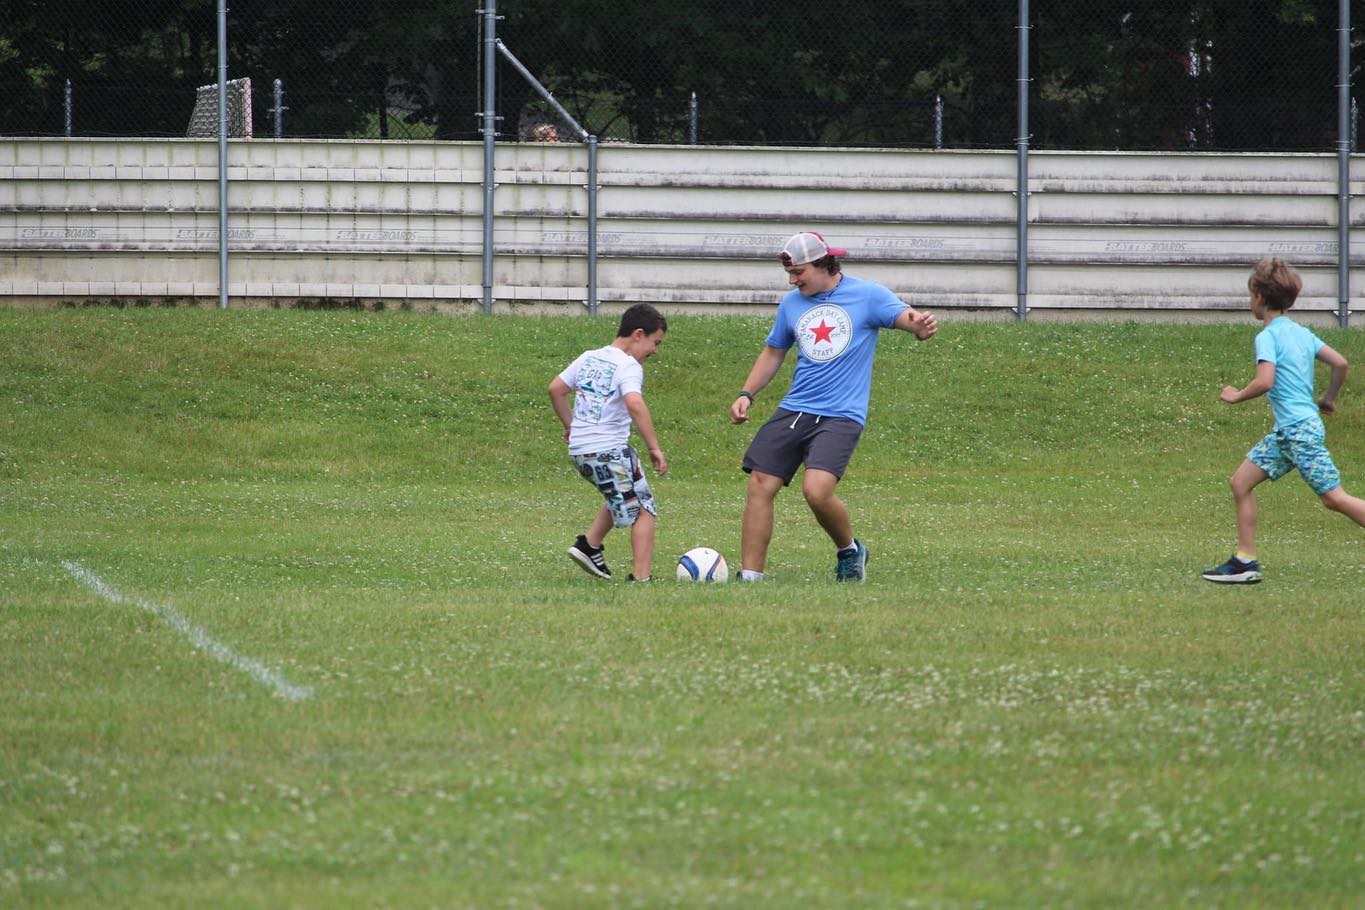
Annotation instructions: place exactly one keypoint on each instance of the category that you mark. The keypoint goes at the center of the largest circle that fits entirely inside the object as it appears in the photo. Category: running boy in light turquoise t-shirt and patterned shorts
(1287, 354)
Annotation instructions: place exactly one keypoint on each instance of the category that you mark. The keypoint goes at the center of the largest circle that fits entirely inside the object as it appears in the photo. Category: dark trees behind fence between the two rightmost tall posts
(1187, 74)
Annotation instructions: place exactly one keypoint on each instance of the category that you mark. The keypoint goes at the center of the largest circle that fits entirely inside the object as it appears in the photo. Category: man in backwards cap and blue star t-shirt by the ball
(833, 321)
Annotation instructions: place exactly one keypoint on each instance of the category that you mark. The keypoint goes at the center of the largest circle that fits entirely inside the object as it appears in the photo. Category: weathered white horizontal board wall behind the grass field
(687, 227)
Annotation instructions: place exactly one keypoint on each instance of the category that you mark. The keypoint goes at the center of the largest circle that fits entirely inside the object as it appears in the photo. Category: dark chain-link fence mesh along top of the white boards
(1220, 76)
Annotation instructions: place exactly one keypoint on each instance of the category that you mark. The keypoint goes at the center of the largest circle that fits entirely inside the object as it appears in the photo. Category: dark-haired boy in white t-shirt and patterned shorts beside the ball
(607, 387)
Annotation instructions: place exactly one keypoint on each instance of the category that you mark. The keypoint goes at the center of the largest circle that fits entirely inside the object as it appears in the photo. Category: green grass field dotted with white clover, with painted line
(286, 620)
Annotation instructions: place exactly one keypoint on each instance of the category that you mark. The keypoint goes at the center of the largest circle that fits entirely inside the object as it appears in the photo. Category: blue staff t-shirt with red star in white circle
(836, 338)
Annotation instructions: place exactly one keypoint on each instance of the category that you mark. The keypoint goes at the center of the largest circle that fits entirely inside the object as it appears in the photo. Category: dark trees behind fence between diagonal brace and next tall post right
(796, 74)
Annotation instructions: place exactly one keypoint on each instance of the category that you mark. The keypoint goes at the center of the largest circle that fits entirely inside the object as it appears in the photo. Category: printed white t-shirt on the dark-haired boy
(601, 380)
